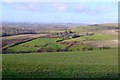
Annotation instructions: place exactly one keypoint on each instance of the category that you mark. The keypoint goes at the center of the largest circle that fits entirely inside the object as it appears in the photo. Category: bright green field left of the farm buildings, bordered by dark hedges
(36, 44)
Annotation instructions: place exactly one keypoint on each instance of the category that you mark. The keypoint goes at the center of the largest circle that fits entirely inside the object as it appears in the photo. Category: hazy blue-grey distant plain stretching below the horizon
(9, 28)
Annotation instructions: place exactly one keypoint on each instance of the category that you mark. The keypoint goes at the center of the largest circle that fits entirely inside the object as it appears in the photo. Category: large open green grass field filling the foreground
(83, 64)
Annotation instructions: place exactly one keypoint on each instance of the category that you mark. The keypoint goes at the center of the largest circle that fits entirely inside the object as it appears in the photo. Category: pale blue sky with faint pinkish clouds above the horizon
(60, 12)
